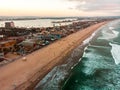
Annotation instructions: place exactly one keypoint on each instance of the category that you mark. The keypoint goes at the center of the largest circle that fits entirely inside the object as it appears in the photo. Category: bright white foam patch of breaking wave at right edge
(115, 51)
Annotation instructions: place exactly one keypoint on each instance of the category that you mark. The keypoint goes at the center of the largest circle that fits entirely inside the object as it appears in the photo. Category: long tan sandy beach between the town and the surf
(22, 73)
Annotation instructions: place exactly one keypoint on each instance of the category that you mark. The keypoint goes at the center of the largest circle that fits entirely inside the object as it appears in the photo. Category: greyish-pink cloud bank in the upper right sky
(107, 6)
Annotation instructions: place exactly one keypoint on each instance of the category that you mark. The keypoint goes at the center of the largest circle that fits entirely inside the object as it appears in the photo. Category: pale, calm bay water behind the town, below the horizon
(35, 23)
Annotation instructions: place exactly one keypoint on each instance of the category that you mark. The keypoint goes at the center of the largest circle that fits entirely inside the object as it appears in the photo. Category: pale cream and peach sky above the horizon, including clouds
(61, 8)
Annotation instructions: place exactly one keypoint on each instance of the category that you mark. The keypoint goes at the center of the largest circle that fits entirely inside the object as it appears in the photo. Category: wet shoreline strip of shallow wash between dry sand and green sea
(57, 77)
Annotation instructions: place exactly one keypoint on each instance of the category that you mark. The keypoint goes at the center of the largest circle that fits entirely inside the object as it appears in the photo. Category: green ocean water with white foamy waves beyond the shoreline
(99, 68)
